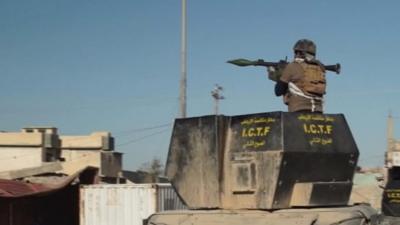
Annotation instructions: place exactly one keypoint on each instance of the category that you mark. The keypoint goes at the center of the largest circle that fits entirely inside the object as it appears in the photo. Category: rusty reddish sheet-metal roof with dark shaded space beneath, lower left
(53, 202)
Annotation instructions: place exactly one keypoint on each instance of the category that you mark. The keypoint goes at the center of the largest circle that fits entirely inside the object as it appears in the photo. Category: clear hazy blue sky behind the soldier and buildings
(85, 66)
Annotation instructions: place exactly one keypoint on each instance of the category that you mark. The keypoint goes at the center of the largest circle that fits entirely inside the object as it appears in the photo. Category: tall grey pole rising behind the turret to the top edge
(182, 96)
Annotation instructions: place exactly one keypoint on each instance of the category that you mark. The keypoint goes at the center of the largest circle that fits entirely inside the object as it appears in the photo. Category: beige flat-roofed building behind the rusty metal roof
(41, 150)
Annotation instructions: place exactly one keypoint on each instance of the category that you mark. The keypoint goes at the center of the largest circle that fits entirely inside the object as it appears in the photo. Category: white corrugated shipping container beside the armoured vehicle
(125, 204)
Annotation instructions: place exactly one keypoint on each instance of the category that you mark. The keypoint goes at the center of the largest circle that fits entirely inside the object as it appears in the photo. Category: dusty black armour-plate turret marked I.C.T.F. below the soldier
(255, 161)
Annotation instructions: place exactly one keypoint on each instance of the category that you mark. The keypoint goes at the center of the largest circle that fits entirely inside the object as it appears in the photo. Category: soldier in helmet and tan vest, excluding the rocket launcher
(303, 82)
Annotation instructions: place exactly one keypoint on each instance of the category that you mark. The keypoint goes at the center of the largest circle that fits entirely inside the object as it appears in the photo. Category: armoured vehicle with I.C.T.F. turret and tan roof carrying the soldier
(274, 168)
